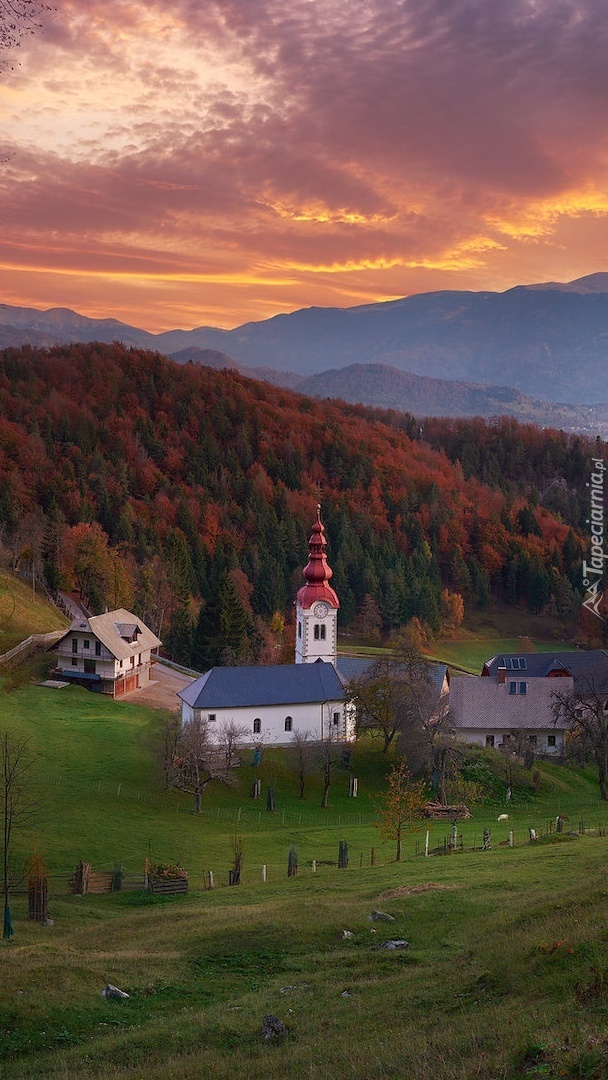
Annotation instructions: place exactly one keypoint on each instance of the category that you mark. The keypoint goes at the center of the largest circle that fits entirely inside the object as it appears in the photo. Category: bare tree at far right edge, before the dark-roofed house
(586, 714)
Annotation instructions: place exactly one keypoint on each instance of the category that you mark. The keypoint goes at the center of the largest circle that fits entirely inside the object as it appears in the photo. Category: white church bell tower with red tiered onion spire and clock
(317, 605)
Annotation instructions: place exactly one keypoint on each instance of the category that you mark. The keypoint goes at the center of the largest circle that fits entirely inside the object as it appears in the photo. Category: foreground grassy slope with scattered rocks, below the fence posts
(506, 971)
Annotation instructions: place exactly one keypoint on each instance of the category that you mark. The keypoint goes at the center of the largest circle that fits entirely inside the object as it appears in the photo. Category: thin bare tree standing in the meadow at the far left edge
(19, 808)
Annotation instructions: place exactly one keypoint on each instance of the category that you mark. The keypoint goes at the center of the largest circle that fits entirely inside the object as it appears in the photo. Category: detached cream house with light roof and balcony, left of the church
(112, 653)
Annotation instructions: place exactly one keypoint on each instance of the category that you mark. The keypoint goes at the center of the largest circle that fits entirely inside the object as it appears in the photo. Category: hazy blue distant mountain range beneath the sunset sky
(538, 353)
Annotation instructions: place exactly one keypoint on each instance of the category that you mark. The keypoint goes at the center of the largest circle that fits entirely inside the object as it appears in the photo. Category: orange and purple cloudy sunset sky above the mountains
(209, 163)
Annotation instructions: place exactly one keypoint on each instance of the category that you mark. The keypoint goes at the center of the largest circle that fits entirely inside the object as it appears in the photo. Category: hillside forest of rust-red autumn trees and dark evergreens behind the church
(187, 494)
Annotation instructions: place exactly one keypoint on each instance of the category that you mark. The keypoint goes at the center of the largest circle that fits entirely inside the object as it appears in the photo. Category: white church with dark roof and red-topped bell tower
(274, 701)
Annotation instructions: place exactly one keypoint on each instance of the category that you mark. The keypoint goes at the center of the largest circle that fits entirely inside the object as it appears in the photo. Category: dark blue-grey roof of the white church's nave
(271, 685)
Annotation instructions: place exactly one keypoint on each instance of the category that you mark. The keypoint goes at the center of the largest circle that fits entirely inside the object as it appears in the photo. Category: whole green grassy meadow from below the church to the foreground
(506, 974)
